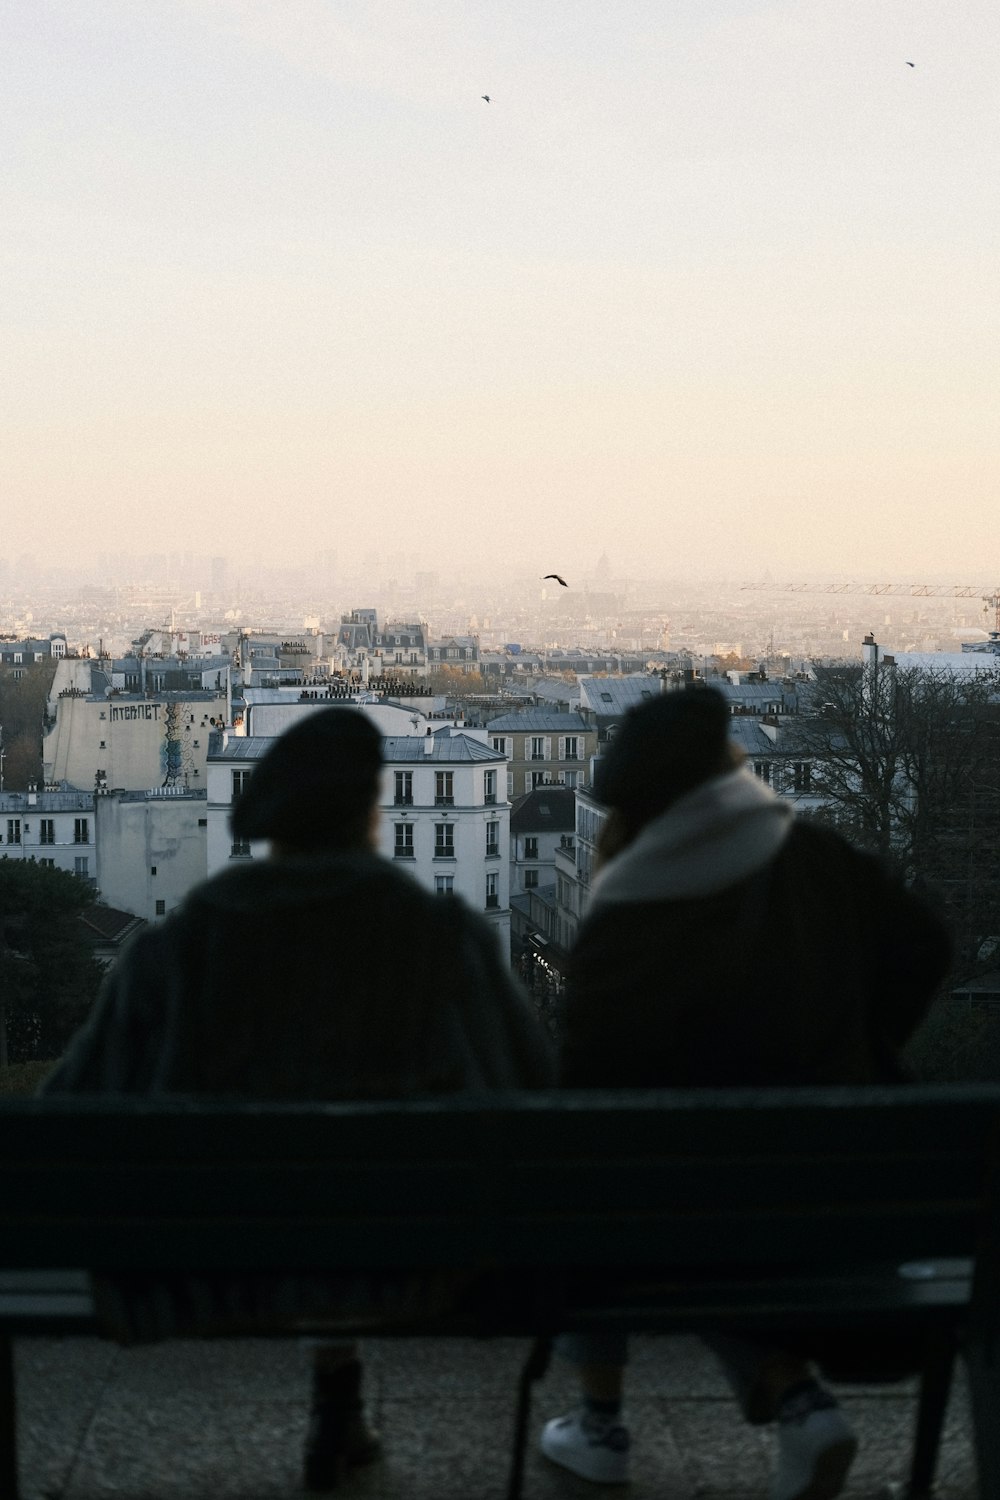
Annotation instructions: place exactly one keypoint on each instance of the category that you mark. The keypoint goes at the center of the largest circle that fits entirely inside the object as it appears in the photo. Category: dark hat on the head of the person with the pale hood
(662, 751)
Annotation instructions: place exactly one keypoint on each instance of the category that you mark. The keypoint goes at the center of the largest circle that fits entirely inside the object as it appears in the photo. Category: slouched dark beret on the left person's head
(317, 784)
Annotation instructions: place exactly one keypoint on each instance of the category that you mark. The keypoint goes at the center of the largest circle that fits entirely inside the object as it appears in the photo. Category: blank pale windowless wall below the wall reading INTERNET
(152, 850)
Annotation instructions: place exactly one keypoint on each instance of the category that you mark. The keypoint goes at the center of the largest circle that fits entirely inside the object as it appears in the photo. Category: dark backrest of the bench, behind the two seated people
(710, 1178)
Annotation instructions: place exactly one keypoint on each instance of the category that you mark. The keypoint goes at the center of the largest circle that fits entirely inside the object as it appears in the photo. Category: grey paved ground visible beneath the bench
(226, 1420)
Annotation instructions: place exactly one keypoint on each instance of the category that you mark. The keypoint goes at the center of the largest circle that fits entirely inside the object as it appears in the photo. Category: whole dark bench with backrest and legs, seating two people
(756, 1211)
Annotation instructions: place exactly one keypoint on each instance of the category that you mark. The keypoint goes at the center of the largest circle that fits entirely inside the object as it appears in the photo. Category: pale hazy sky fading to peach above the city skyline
(713, 284)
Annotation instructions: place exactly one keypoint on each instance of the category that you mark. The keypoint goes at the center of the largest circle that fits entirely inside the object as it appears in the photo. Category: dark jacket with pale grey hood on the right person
(731, 944)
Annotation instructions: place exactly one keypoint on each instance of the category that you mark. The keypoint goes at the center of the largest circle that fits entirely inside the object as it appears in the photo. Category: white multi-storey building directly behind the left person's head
(446, 817)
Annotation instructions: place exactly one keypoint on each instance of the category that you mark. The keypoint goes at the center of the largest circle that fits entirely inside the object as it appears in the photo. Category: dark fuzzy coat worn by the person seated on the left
(331, 977)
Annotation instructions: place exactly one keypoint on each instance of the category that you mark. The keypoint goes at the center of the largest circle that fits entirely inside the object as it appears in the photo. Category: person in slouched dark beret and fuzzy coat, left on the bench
(322, 973)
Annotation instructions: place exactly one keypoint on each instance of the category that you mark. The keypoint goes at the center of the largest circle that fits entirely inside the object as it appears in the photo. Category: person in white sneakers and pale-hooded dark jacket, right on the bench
(728, 944)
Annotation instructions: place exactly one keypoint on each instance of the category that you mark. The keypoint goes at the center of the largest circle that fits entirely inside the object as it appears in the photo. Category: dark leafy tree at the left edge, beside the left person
(49, 976)
